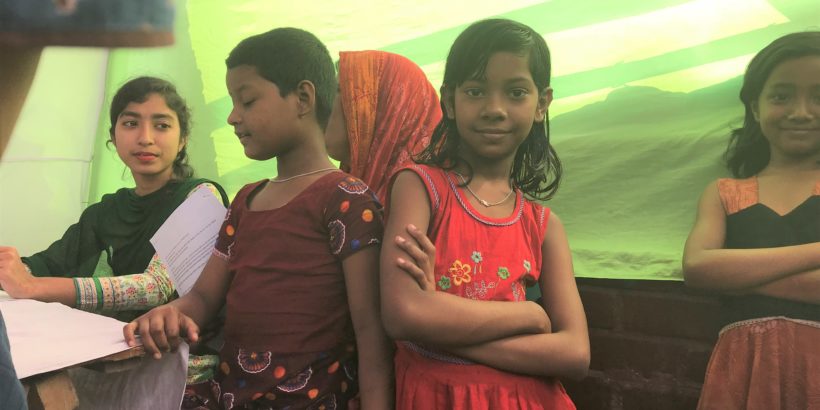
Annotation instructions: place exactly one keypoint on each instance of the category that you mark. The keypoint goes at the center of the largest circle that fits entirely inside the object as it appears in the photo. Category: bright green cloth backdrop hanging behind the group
(645, 96)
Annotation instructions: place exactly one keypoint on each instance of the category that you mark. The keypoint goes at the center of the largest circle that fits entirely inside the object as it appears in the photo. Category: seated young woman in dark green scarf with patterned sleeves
(105, 263)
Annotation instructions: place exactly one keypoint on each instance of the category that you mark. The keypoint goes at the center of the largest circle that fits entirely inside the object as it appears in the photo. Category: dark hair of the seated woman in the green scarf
(137, 91)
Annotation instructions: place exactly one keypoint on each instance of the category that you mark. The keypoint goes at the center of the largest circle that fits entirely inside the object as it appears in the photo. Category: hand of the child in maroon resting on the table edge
(160, 330)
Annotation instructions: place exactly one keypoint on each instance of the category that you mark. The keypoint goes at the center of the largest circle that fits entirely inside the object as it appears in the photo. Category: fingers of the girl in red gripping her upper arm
(423, 253)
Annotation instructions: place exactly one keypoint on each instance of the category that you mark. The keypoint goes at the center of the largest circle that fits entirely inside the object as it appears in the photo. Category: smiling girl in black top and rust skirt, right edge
(757, 238)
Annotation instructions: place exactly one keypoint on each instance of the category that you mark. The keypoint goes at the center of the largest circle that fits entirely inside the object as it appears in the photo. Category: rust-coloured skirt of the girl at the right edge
(768, 363)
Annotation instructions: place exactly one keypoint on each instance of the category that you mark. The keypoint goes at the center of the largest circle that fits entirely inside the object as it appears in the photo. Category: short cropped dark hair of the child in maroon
(286, 56)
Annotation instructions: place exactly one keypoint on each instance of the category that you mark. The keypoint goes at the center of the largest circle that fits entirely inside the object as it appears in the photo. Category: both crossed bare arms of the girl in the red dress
(512, 336)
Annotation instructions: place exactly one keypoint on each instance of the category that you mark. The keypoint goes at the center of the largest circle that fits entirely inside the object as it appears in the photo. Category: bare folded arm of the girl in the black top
(707, 264)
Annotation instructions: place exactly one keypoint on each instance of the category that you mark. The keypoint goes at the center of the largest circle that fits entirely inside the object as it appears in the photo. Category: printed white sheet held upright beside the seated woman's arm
(185, 241)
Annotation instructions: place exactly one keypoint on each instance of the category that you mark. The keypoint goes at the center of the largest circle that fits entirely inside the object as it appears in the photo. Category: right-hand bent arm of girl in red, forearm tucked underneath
(565, 352)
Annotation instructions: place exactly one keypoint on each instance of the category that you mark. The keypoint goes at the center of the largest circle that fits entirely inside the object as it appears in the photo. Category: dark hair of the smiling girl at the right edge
(748, 151)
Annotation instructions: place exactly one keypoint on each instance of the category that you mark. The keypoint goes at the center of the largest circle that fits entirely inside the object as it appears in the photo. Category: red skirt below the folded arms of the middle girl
(424, 382)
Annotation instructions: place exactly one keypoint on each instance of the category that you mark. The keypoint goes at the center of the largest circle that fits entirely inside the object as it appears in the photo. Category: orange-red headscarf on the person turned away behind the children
(390, 109)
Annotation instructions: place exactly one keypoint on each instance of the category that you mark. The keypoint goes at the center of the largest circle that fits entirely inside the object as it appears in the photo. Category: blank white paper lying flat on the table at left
(51, 336)
